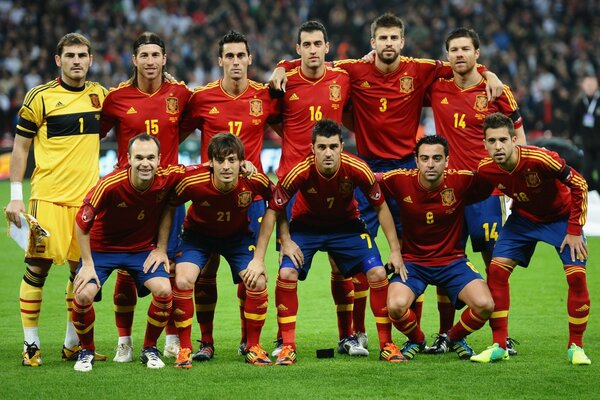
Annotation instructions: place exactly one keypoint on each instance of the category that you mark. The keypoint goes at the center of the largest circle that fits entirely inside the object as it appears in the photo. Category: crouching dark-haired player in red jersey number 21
(217, 223)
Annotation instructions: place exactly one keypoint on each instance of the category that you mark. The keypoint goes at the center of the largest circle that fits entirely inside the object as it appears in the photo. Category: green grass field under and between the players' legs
(538, 320)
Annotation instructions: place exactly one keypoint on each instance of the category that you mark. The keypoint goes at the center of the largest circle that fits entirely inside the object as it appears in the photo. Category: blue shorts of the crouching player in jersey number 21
(238, 250)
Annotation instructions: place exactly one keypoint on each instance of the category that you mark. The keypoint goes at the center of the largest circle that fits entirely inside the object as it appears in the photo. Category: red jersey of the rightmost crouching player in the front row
(543, 187)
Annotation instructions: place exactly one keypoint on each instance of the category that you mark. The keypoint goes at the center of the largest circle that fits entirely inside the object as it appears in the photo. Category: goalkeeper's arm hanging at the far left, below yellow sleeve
(18, 165)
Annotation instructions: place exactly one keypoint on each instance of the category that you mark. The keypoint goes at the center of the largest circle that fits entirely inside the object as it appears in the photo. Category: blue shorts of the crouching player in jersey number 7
(351, 246)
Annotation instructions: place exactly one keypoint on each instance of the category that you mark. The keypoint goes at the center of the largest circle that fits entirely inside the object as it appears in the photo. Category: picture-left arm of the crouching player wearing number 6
(83, 224)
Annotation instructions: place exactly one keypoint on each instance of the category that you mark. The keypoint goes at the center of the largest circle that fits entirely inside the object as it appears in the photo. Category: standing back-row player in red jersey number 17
(242, 107)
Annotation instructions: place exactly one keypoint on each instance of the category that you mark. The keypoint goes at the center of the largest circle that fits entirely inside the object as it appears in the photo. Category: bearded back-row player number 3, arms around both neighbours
(387, 97)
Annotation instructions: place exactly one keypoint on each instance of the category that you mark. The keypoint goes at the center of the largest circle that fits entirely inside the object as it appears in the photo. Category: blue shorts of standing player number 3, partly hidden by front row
(367, 212)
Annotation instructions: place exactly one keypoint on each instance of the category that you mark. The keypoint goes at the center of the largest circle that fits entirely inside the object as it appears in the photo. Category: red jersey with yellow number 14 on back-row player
(459, 115)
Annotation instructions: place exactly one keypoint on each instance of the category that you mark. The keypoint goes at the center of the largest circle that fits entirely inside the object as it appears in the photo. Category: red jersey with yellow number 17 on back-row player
(212, 110)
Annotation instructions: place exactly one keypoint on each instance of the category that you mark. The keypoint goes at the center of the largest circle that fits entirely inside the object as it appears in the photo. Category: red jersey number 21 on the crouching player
(215, 213)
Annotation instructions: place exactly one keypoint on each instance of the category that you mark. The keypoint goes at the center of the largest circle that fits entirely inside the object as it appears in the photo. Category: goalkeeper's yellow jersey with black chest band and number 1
(64, 123)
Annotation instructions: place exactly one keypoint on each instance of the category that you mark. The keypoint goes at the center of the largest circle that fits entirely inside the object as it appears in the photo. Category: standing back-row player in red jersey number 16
(315, 92)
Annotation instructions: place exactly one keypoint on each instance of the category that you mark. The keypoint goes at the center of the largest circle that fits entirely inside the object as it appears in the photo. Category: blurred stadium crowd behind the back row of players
(541, 48)
